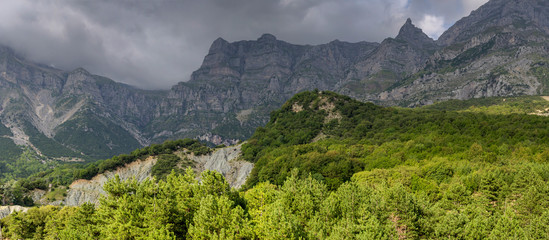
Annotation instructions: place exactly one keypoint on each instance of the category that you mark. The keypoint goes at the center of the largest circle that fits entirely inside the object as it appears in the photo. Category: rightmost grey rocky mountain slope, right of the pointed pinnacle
(499, 50)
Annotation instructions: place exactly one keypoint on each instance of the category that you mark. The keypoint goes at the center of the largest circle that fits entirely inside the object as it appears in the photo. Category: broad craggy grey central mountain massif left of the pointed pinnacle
(239, 83)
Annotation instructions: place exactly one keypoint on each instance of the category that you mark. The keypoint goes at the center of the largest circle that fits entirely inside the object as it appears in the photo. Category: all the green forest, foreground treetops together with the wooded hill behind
(329, 167)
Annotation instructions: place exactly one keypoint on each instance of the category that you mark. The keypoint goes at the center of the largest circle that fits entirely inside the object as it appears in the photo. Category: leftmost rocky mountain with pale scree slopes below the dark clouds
(64, 114)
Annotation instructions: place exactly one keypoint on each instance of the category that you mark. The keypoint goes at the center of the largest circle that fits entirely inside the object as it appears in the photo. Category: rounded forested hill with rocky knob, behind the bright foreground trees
(332, 136)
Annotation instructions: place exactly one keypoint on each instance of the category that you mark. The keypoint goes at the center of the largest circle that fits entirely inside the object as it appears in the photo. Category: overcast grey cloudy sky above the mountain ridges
(154, 44)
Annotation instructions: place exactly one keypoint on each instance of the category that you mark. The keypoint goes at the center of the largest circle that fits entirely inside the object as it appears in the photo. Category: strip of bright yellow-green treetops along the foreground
(373, 205)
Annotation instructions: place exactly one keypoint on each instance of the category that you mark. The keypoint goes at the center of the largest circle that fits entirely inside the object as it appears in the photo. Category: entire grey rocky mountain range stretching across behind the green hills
(501, 49)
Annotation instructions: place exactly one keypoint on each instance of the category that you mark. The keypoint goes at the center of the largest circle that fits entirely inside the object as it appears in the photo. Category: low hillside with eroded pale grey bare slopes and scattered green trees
(77, 183)
